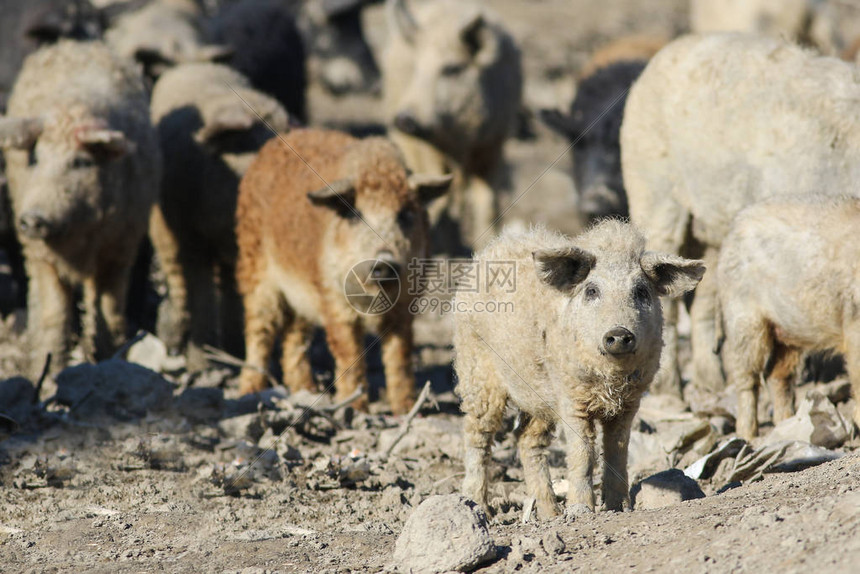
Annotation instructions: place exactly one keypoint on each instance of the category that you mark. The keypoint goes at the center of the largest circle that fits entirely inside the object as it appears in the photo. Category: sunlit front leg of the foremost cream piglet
(579, 433)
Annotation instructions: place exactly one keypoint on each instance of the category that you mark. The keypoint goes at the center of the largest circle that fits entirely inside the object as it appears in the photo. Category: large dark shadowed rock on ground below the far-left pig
(113, 388)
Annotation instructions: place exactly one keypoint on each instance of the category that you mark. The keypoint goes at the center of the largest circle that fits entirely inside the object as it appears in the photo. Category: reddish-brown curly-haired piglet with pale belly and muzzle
(315, 208)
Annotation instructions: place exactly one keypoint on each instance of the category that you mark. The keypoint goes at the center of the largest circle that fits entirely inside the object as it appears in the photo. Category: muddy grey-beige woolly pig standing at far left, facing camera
(84, 166)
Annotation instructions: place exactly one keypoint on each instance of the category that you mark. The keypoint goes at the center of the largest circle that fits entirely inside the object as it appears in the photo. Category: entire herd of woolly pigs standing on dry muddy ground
(735, 156)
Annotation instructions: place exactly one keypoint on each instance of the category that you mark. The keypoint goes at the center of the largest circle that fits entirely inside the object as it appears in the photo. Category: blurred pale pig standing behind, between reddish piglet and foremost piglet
(452, 87)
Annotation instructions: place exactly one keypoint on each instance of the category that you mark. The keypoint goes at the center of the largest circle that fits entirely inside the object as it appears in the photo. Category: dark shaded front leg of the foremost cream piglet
(616, 438)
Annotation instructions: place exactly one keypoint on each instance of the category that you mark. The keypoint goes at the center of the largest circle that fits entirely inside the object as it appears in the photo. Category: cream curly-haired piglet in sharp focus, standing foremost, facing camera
(580, 342)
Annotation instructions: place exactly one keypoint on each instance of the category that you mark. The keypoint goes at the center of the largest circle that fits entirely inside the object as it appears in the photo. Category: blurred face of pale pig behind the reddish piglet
(445, 102)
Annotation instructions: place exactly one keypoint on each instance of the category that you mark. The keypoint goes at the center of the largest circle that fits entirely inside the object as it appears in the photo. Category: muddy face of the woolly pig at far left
(63, 185)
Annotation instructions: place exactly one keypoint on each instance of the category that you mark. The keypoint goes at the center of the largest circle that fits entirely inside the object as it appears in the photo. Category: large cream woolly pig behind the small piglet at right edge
(717, 122)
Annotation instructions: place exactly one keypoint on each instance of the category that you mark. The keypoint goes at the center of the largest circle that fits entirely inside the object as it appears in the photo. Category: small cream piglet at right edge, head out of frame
(788, 283)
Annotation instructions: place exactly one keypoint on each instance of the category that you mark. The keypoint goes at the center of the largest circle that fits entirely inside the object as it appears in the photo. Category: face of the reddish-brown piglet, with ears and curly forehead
(381, 221)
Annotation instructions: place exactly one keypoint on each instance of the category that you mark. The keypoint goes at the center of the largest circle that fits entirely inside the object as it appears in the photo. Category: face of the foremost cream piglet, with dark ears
(608, 319)
